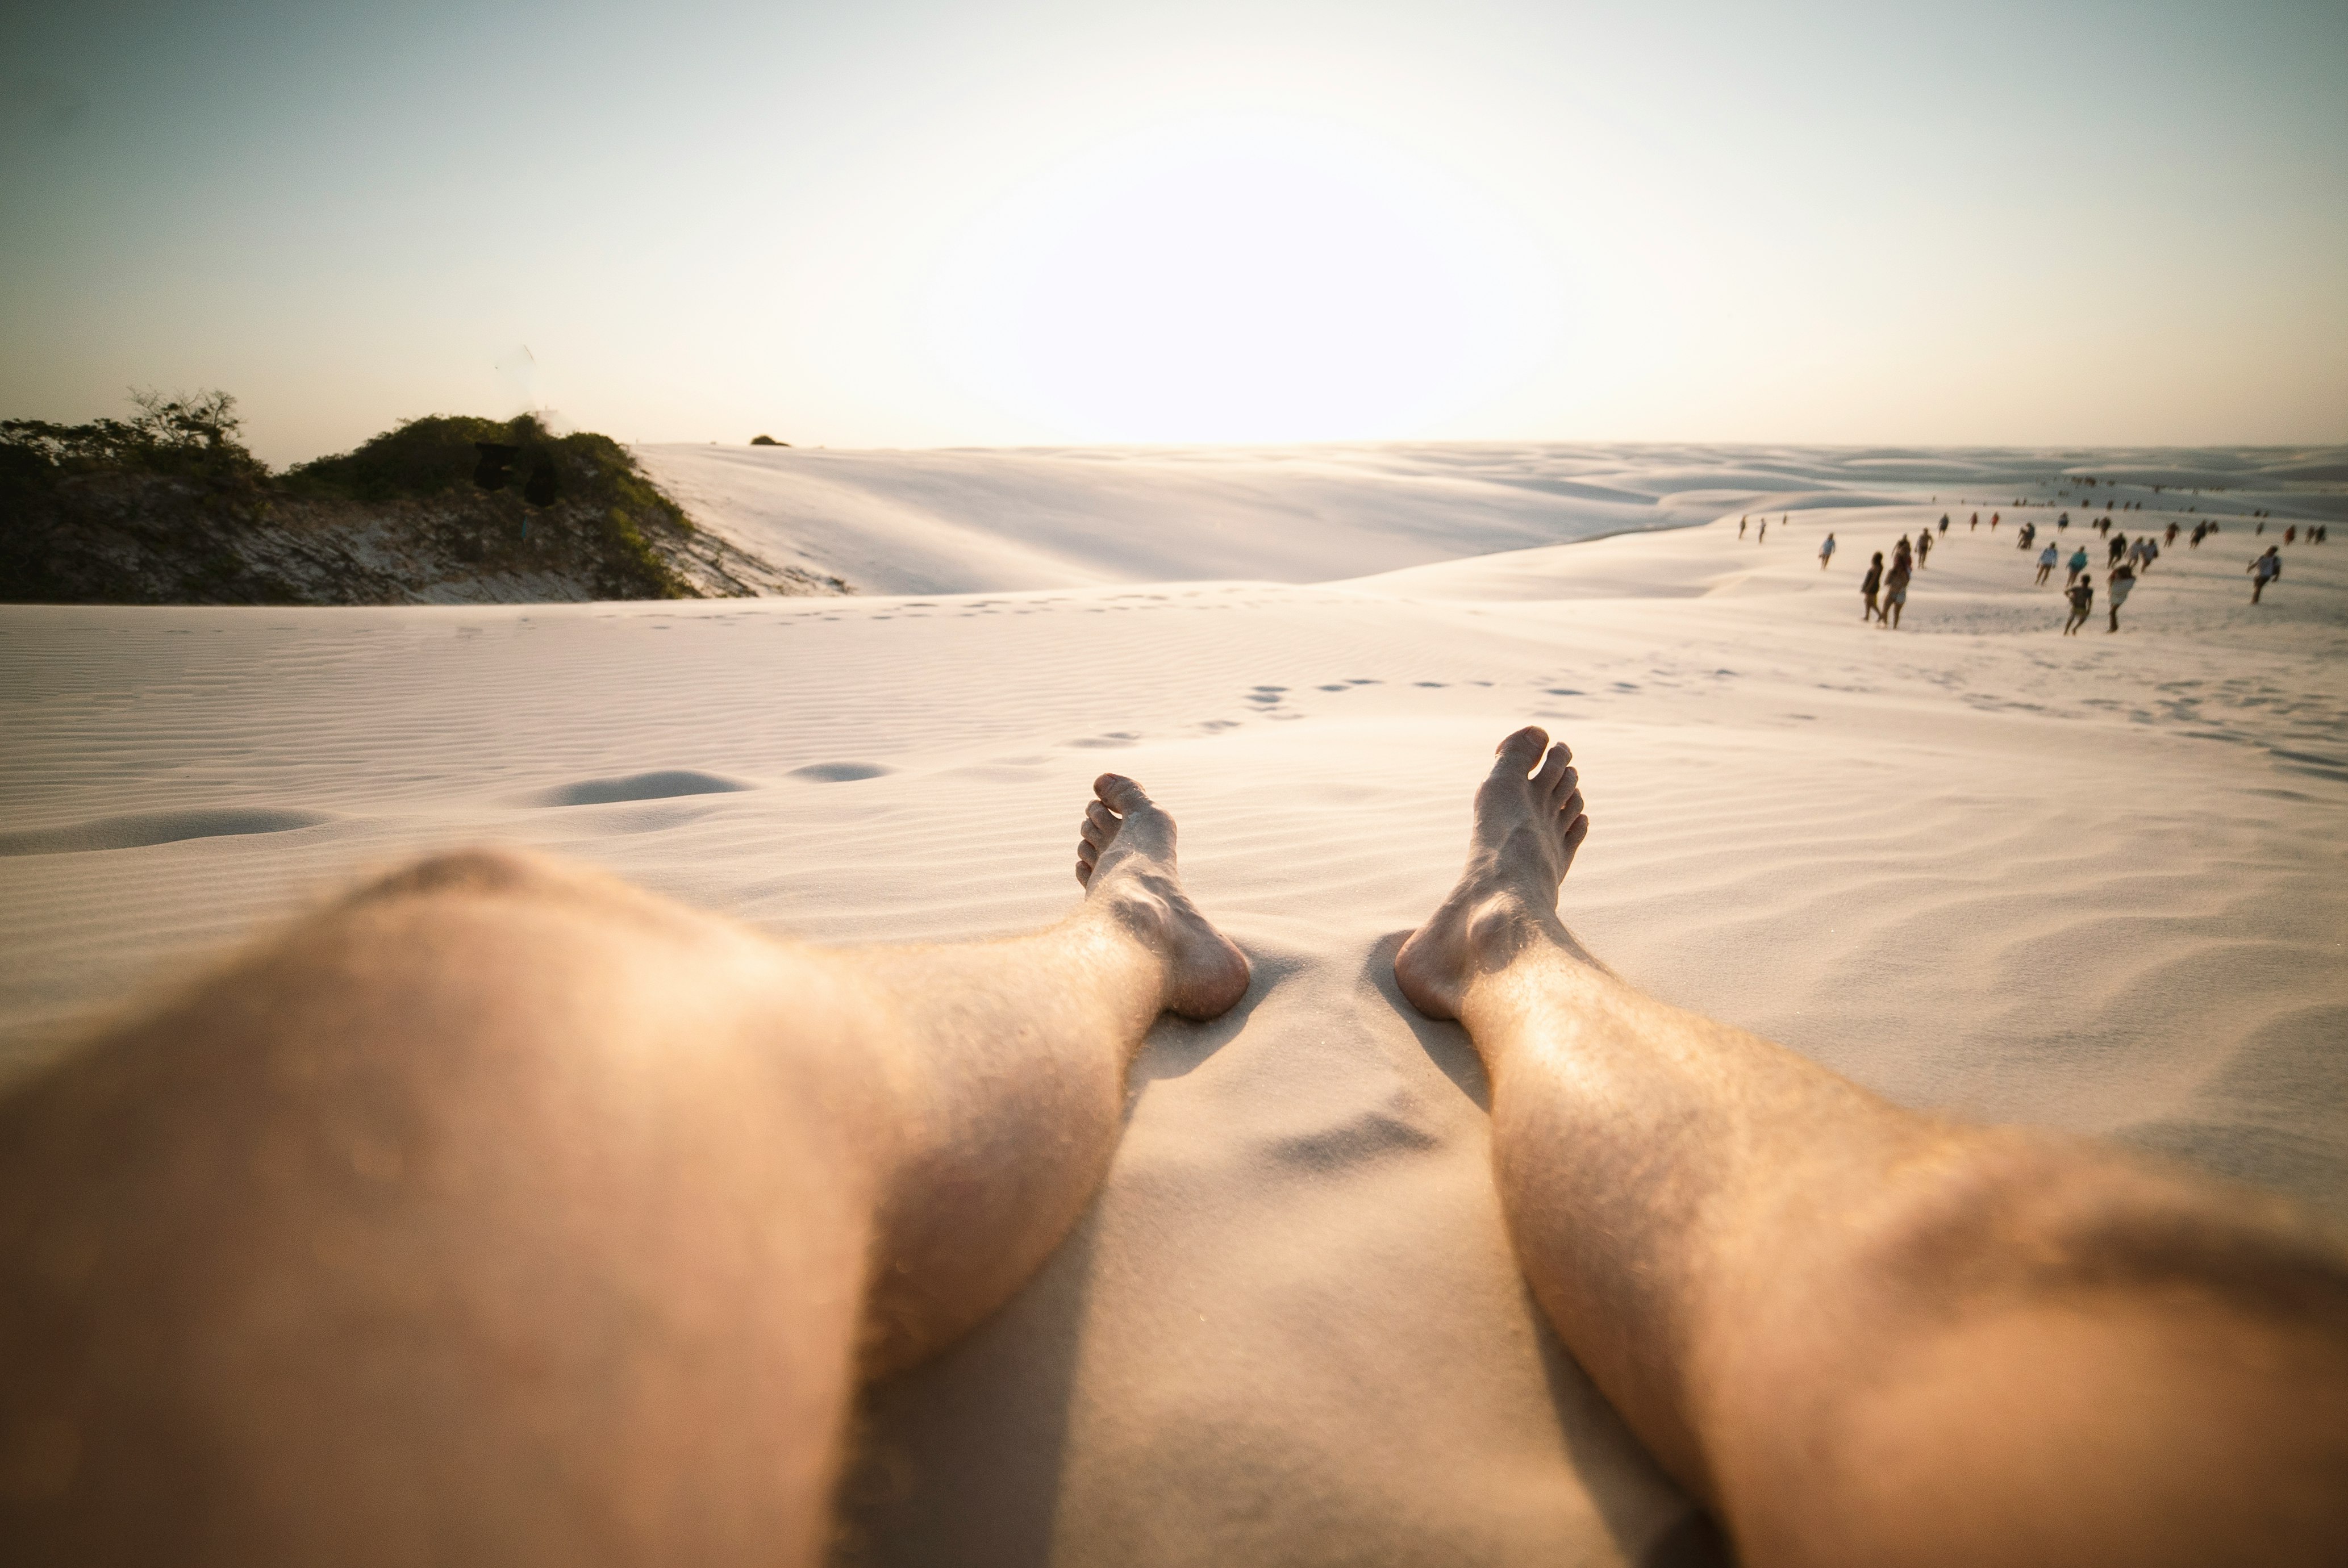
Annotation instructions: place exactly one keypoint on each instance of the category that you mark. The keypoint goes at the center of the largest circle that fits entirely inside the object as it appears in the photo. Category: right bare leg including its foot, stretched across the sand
(1865, 1334)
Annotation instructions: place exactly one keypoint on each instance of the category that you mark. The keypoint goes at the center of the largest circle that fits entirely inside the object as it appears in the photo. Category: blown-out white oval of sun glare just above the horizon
(1241, 283)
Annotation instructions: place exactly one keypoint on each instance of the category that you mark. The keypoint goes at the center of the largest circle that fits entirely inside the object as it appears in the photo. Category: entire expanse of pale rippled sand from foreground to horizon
(2096, 884)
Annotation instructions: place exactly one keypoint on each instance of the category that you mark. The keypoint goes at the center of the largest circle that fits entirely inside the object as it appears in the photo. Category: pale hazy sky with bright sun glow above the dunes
(954, 224)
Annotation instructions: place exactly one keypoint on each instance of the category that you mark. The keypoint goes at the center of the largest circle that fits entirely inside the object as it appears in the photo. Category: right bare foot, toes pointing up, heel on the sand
(1527, 827)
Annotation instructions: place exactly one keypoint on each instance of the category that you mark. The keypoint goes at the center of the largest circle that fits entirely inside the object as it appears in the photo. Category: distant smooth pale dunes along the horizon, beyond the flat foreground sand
(945, 522)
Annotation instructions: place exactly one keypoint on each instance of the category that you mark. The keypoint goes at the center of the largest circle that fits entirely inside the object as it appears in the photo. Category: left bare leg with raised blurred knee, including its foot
(511, 1215)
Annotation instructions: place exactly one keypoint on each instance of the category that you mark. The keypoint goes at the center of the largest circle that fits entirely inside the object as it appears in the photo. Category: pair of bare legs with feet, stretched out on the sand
(504, 1212)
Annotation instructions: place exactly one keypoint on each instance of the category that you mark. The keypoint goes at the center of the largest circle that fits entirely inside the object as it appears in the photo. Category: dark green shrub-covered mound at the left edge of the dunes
(170, 508)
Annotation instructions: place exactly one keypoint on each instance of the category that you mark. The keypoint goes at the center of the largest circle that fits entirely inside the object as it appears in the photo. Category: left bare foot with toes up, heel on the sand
(1126, 863)
